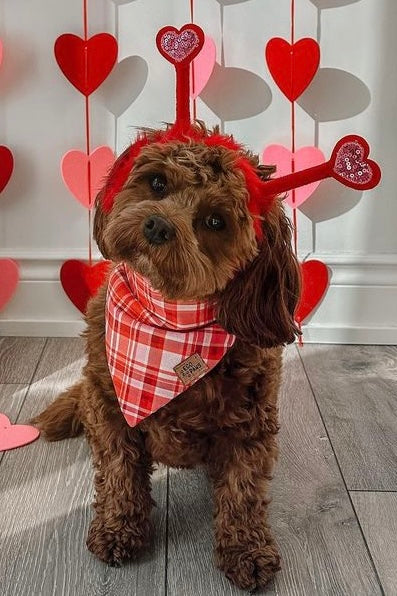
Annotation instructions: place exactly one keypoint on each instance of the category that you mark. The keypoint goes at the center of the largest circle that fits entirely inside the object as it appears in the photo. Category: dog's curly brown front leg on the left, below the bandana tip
(123, 503)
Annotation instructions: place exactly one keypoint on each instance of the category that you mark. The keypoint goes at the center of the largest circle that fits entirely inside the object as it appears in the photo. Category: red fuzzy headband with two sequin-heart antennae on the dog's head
(349, 163)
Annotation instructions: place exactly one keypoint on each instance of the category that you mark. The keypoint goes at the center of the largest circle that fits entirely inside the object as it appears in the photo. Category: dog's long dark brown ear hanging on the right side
(258, 305)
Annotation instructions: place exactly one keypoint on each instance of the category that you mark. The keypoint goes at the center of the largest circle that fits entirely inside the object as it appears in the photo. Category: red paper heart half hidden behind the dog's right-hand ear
(314, 285)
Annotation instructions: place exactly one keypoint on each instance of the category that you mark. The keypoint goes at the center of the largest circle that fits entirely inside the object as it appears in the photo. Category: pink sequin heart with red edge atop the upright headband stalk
(180, 46)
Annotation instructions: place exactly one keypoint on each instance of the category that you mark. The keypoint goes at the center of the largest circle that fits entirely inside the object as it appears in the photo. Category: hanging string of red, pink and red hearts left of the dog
(86, 63)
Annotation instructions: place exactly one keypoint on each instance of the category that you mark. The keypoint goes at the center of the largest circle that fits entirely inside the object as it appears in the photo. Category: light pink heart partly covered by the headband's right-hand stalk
(306, 157)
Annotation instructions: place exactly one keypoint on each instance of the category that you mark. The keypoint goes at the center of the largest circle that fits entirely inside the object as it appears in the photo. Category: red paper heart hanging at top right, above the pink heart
(292, 66)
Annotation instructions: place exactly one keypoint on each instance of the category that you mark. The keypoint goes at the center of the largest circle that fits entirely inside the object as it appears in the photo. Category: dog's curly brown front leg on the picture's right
(245, 549)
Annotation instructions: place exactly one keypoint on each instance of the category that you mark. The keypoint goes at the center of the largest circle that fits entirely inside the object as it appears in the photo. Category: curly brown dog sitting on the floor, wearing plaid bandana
(226, 421)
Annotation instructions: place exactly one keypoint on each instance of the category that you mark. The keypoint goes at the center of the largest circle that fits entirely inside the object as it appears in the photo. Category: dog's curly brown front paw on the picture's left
(115, 545)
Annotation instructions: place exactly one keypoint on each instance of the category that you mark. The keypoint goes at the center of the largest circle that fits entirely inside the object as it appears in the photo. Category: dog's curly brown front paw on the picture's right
(249, 567)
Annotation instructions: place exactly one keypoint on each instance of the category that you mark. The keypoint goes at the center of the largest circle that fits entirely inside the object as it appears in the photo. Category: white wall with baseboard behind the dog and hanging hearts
(42, 116)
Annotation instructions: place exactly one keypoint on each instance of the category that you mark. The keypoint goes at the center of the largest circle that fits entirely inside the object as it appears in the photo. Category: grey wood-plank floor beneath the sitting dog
(334, 508)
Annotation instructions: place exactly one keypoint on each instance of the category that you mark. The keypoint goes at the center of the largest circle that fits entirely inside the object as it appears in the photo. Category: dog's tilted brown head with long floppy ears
(184, 220)
